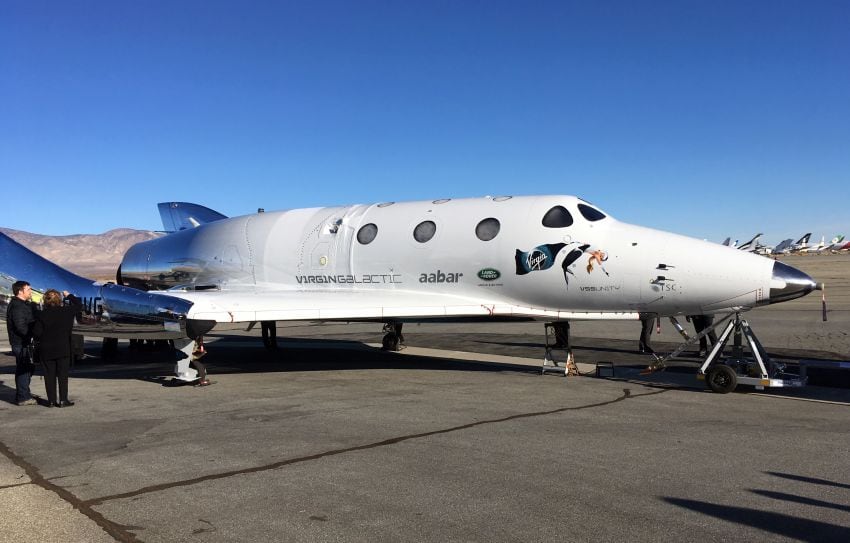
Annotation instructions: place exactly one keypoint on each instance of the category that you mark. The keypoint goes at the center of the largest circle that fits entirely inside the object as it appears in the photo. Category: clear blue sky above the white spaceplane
(710, 119)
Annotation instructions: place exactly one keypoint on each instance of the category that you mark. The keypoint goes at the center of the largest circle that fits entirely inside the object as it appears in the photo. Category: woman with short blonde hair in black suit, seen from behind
(53, 329)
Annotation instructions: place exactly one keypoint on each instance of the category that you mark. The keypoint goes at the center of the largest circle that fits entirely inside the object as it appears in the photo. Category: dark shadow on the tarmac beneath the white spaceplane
(245, 354)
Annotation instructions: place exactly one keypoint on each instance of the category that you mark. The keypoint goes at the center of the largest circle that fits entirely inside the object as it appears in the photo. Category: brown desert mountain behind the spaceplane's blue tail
(95, 256)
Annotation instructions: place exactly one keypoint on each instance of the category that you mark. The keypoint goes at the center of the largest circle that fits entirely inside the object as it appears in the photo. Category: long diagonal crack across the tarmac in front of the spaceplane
(392, 441)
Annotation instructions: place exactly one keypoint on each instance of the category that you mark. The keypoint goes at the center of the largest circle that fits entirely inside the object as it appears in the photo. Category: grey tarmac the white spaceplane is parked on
(459, 437)
